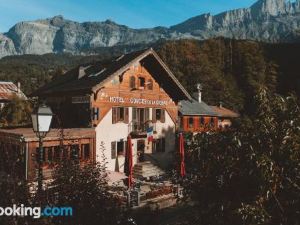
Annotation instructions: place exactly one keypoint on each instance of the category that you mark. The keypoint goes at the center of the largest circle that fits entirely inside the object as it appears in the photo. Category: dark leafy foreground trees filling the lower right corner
(248, 175)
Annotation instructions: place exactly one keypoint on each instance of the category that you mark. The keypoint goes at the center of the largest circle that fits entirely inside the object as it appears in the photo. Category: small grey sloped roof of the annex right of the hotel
(195, 108)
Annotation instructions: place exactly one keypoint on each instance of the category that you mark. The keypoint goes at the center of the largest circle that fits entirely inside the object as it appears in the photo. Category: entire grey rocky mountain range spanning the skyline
(266, 20)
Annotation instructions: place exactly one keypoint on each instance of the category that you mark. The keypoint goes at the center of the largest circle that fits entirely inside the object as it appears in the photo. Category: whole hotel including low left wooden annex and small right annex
(101, 104)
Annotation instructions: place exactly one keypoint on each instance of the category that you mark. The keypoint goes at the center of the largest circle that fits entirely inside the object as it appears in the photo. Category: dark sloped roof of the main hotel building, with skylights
(95, 75)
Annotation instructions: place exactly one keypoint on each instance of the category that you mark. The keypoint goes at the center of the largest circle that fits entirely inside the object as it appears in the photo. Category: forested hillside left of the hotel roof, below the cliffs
(34, 70)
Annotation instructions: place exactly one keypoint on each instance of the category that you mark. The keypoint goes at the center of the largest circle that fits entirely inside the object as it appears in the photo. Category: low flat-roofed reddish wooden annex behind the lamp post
(19, 147)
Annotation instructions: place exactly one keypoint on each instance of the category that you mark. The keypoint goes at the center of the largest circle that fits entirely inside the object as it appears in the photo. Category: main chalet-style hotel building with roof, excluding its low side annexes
(135, 94)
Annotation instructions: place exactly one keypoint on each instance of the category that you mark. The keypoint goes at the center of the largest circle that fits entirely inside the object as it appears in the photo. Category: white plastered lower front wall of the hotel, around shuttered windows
(107, 132)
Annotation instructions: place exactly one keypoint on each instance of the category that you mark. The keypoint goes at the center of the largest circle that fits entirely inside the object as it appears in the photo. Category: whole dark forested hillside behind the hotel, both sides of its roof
(231, 71)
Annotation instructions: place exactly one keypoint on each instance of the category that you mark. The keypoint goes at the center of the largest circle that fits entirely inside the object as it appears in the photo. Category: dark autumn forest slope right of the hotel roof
(231, 71)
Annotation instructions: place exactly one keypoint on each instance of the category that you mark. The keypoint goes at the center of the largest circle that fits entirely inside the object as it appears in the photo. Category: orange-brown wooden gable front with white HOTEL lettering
(119, 91)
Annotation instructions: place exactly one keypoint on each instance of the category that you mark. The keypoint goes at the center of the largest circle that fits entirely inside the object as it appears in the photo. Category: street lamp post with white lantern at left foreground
(41, 120)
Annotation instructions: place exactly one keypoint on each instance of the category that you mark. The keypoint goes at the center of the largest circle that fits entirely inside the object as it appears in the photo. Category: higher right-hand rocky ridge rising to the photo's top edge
(266, 20)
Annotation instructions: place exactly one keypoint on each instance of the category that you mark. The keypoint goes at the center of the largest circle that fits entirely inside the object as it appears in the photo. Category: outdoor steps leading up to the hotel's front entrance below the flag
(146, 169)
